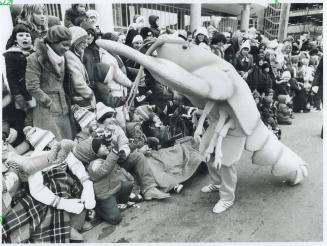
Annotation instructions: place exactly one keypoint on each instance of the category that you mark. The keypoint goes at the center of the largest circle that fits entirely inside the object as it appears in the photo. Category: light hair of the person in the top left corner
(26, 16)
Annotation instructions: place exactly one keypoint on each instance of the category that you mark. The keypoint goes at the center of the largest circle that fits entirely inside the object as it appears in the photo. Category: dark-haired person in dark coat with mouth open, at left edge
(19, 48)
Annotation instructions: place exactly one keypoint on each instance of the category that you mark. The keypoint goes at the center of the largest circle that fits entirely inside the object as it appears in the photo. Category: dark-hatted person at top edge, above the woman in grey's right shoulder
(75, 15)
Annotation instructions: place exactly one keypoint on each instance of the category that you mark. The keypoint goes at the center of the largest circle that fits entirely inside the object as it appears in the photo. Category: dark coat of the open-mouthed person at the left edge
(16, 61)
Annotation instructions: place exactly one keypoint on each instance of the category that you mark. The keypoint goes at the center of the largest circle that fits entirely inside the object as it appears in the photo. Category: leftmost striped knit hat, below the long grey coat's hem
(37, 137)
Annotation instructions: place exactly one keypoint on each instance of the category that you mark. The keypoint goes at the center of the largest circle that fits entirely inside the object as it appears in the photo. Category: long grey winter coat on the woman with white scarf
(45, 84)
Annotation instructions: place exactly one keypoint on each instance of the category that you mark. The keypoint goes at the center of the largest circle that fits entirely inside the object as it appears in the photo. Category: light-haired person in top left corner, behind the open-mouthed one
(34, 17)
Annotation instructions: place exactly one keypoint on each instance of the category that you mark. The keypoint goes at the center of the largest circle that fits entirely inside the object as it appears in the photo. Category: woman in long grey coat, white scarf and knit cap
(45, 72)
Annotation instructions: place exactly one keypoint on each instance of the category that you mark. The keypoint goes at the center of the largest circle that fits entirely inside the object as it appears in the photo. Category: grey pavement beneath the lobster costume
(265, 209)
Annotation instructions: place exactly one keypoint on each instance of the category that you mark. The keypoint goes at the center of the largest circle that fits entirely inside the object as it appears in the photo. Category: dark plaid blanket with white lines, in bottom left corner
(31, 221)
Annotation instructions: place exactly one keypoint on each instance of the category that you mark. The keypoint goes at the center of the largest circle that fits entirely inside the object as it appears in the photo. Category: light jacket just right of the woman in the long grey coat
(79, 91)
